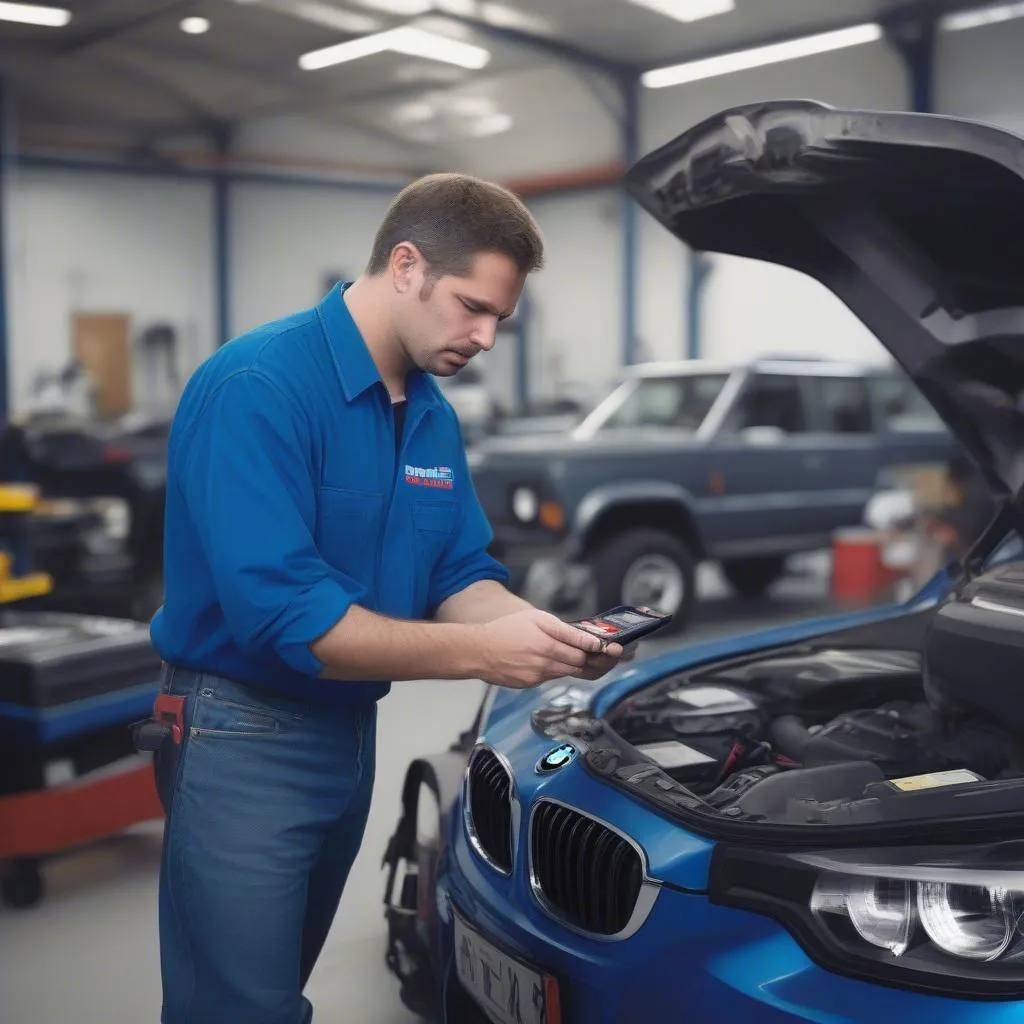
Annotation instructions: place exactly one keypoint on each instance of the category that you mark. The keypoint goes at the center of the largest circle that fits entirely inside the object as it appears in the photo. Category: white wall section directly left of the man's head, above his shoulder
(286, 238)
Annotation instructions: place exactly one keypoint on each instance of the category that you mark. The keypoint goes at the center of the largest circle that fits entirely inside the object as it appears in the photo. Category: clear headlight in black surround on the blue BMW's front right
(944, 921)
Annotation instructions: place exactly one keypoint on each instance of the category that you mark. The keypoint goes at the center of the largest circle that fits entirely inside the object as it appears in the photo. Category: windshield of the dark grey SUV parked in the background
(681, 402)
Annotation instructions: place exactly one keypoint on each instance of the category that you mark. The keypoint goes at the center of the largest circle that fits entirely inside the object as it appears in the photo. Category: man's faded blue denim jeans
(269, 800)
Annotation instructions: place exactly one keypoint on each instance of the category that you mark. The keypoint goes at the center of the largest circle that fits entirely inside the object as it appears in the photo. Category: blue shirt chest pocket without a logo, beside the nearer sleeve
(349, 527)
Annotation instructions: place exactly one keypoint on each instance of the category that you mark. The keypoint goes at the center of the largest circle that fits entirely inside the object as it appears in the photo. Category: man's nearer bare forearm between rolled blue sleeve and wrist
(365, 646)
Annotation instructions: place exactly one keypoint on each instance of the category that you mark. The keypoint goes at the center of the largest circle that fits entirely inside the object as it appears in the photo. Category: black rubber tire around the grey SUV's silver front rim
(613, 562)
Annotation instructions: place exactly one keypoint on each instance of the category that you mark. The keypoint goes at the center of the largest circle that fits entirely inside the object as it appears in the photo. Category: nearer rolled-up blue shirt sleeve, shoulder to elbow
(247, 479)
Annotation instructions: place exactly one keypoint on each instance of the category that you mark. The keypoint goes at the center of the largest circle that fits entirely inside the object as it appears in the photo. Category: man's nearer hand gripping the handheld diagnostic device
(532, 648)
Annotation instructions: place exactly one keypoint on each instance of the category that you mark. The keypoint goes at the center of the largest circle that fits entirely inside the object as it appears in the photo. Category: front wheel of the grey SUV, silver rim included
(647, 568)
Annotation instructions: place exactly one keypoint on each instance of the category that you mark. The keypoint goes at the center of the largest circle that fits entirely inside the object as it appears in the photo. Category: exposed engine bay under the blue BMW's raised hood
(904, 721)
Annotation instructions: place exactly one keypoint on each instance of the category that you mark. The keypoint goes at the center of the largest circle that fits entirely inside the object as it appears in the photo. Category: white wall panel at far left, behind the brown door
(102, 243)
